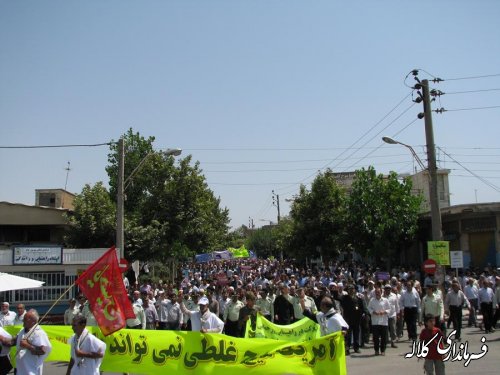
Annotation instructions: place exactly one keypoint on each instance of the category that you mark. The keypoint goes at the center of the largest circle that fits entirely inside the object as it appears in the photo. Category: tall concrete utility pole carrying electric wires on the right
(431, 157)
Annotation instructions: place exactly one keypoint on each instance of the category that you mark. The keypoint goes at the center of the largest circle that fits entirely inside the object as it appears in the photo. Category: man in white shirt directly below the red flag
(87, 350)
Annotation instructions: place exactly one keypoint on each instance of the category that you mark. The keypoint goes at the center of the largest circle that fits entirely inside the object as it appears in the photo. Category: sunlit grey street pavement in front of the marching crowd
(395, 361)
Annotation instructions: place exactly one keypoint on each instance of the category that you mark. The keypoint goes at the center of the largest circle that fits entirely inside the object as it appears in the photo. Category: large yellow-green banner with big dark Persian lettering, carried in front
(148, 352)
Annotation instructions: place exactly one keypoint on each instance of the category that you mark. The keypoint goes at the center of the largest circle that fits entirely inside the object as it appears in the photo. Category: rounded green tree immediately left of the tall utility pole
(383, 214)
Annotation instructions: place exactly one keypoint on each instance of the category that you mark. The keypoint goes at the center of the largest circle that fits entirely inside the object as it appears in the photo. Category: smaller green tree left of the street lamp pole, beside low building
(93, 219)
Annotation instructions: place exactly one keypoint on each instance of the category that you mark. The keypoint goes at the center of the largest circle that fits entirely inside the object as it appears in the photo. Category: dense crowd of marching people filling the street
(221, 296)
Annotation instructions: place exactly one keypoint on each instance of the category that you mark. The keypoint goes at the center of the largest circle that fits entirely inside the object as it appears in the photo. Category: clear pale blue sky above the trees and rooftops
(262, 93)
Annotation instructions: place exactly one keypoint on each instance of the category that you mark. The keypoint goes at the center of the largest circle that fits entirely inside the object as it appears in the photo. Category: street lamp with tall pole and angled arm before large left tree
(123, 184)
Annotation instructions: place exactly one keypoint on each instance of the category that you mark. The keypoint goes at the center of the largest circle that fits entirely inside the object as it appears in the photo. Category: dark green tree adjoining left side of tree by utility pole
(319, 218)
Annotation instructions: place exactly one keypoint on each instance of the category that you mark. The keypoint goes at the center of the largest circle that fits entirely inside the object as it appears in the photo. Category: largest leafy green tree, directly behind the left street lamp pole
(169, 209)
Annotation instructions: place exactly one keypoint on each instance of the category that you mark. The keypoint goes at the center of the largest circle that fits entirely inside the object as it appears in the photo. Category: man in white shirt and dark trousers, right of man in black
(379, 308)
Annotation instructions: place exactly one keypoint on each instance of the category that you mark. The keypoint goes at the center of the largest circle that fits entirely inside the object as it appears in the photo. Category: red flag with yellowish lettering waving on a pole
(102, 284)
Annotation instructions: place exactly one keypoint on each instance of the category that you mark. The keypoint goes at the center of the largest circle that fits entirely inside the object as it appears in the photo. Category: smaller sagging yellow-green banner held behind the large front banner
(302, 330)
